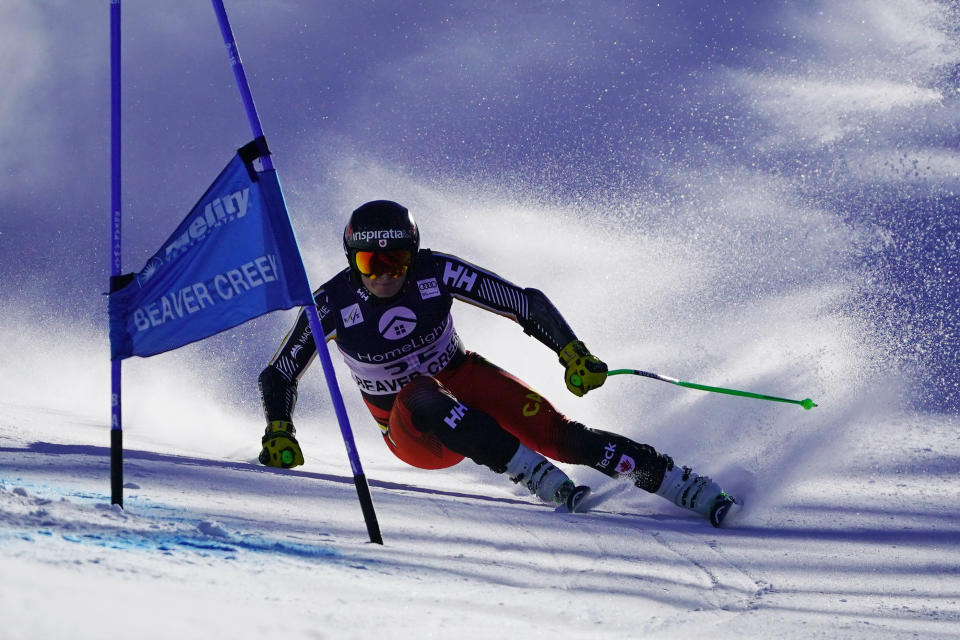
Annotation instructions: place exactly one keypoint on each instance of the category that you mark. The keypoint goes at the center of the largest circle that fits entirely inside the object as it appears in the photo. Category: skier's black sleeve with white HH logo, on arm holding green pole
(530, 308)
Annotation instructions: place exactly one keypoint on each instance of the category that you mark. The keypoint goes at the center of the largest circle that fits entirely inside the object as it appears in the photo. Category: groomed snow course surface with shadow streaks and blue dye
(456, 560)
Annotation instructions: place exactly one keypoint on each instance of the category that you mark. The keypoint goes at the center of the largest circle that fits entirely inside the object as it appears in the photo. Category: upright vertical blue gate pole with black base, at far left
(116, 422)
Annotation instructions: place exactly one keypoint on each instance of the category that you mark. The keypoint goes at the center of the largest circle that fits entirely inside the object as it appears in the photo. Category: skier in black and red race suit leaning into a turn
(437, 403)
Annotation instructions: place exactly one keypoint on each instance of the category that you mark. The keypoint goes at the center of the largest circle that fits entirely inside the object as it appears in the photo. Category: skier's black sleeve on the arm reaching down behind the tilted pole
(278, 380)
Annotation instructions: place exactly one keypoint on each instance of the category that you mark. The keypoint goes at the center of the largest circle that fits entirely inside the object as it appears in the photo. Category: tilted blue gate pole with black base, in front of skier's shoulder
(359, 478)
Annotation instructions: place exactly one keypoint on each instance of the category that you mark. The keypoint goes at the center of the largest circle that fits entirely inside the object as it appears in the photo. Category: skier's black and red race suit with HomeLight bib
(434, 401)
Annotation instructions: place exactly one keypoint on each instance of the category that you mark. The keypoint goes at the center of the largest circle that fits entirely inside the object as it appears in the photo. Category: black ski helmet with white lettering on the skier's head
(381, 225)
